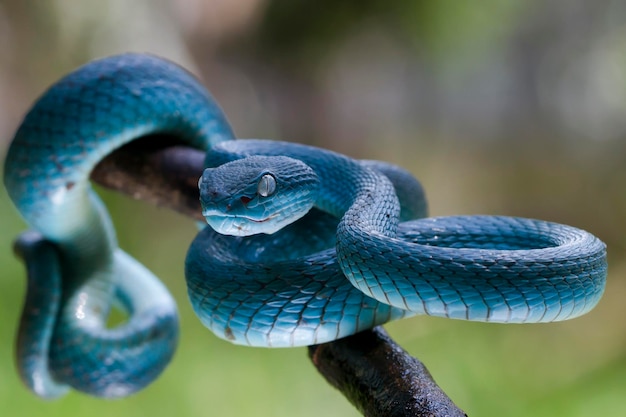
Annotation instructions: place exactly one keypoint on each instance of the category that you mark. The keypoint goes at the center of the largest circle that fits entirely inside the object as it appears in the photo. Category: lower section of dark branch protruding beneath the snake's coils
(380, 378)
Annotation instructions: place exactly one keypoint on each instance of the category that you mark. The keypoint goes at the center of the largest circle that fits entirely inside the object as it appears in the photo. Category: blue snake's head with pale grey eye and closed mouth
(257, 194)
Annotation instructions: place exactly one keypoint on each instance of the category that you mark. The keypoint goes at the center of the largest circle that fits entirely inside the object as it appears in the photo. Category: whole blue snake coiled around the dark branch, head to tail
(304, 245)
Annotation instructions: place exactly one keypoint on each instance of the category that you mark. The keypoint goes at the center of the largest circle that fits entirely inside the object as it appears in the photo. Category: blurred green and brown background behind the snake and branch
(511, 107)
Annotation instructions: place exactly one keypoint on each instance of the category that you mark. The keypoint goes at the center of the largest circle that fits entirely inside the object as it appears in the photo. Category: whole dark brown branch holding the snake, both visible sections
(375, 374)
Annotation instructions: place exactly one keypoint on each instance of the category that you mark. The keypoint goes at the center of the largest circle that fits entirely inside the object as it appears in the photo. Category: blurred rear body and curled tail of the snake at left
(83, 117)
